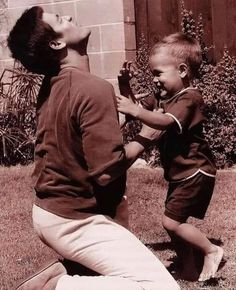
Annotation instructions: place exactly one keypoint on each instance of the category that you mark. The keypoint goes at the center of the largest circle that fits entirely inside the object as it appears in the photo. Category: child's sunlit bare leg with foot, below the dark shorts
(212, 253)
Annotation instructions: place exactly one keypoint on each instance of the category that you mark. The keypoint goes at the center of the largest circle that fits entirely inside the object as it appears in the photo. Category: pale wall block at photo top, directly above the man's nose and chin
(92, 12)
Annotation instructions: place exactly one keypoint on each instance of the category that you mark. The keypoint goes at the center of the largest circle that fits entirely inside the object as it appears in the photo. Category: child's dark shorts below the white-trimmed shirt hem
(189, 198)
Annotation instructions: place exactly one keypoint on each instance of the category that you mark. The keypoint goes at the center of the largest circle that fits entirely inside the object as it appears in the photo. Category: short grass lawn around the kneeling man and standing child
(21, 252)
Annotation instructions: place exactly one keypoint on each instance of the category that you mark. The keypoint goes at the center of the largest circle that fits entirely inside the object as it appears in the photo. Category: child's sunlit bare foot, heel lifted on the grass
(211, 263)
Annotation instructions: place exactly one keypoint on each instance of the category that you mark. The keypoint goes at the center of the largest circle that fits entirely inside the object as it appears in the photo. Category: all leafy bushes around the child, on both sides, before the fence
(217, 83)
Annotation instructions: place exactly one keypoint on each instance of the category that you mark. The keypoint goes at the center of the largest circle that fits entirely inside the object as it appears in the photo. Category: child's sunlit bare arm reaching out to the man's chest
(155, 119)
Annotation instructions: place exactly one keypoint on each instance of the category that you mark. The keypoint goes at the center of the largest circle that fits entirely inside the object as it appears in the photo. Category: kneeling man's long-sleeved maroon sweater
(78, 137)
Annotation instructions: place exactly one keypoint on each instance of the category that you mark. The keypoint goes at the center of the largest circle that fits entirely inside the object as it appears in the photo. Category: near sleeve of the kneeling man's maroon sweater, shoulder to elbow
(101, 137)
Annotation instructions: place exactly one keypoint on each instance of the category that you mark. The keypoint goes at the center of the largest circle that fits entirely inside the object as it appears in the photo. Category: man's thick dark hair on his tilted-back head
(29, 41)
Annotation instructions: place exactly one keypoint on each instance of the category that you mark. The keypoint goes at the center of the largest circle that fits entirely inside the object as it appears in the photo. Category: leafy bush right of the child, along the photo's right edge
(217, 84)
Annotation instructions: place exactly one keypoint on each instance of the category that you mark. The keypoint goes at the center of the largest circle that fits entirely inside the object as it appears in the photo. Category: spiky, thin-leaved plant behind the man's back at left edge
(18, 91)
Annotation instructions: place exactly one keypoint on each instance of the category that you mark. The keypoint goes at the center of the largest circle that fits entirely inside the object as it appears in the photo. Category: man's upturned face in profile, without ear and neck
(69, 32)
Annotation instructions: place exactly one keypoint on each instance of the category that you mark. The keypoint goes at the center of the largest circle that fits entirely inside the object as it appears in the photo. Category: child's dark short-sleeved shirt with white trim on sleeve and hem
(183, 148)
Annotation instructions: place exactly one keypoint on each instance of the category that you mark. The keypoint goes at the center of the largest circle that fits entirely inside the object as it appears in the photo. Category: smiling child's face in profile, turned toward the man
(167, 76)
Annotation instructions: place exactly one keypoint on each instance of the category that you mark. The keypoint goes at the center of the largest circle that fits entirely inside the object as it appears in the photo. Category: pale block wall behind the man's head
(111, 21)
